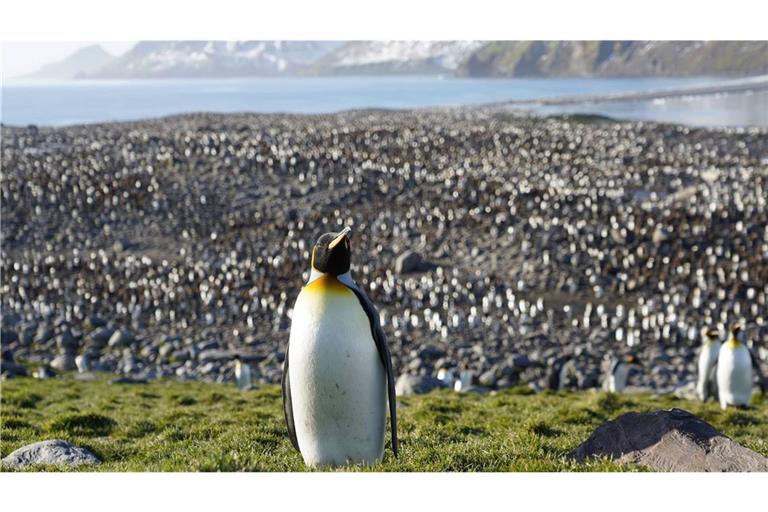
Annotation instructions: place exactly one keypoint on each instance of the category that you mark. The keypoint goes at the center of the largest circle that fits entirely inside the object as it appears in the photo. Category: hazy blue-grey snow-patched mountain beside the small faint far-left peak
(156, 59)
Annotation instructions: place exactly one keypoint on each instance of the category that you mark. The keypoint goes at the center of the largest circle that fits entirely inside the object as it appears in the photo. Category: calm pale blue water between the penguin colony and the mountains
(62, 103)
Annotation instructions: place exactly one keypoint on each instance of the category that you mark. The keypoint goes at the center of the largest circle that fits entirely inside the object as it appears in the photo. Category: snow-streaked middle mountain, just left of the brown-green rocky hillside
(365, 57)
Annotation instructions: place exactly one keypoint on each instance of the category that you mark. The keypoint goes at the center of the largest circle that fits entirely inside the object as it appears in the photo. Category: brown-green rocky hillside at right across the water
(616, 58)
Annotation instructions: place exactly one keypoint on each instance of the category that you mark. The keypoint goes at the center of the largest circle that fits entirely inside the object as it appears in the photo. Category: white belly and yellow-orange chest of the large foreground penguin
(338, 383)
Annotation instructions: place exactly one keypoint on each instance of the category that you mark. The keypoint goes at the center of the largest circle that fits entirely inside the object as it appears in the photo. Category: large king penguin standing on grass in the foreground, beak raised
(337, 373)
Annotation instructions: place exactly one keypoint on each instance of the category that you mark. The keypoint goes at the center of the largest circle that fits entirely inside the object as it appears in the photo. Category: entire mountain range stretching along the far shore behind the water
(217, 59)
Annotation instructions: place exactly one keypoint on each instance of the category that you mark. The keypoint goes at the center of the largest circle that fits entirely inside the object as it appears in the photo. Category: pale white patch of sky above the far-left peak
(22, 58)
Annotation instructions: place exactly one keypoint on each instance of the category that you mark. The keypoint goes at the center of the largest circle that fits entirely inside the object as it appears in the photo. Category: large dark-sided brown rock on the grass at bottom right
(673, 440)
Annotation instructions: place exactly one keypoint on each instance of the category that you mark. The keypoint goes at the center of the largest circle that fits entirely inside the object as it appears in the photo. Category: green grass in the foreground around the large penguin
(194, 426)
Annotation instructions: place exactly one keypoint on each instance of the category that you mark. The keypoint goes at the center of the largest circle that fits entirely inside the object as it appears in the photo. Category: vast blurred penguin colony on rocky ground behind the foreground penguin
(161, 248)
